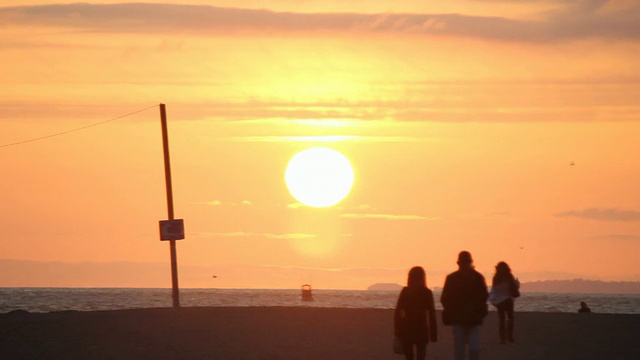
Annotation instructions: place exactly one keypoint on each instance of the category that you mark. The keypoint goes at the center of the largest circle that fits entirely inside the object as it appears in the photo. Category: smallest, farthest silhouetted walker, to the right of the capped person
(504, 289)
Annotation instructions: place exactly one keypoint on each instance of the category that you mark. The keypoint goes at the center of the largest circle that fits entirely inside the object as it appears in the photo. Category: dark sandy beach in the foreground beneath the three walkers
(295, 333)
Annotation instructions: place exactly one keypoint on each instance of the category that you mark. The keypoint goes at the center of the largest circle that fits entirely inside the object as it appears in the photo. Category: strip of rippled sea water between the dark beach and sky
(86, 299)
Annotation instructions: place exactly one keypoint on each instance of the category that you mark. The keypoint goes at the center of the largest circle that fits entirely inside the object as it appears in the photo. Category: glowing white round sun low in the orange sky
(319, 177)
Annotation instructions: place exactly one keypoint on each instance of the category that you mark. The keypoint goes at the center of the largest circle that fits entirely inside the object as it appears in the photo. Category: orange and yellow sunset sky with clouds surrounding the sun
(510, 129)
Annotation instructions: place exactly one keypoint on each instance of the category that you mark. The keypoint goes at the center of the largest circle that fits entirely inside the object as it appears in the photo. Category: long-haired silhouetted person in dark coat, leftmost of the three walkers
(415, 316)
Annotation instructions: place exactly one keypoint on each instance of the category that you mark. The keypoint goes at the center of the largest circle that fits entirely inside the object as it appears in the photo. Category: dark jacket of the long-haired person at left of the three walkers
(415, 306)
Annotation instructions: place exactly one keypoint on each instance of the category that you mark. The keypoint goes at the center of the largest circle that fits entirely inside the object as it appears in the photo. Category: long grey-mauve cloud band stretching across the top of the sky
(574, 21)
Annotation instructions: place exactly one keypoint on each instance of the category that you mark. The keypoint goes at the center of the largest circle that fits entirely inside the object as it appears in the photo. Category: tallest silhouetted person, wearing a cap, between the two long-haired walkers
(464, 300)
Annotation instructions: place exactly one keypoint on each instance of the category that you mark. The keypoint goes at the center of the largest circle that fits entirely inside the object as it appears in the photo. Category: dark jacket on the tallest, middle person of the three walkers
(464, 297)
